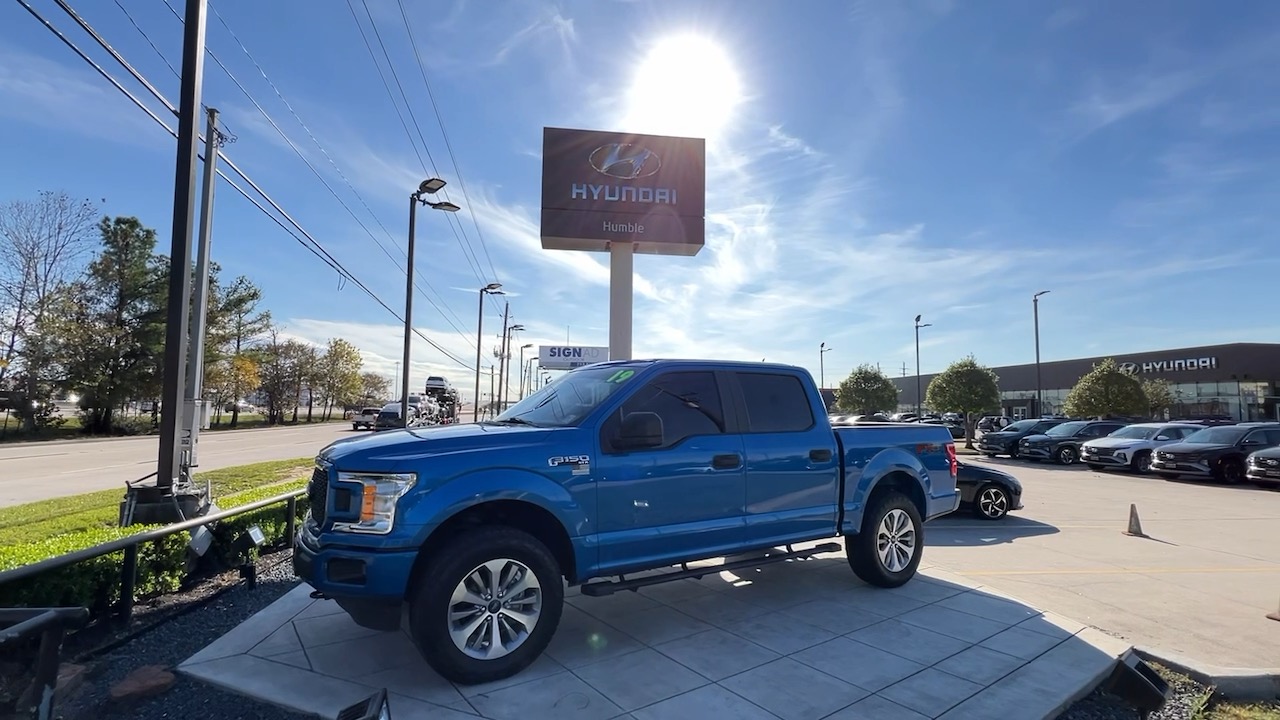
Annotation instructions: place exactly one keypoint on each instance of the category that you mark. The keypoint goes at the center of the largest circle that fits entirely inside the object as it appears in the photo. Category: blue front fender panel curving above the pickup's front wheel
(508, 484)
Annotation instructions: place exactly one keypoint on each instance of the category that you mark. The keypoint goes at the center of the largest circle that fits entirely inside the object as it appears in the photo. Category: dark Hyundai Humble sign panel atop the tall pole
(602, 188)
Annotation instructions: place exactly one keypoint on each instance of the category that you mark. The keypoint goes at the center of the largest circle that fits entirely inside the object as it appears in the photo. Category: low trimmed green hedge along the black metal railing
(163, 566)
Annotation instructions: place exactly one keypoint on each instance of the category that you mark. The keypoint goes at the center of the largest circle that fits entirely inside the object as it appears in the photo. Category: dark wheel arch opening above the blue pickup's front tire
(528, 517)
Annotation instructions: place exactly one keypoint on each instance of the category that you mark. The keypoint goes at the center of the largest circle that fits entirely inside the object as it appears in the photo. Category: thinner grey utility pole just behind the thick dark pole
(194, 416)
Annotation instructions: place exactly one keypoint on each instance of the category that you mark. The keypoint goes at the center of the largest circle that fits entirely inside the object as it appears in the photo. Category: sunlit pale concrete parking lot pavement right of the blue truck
(1200, 586)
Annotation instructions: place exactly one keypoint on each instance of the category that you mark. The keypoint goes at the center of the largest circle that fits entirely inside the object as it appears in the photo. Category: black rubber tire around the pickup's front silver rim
(433, 589)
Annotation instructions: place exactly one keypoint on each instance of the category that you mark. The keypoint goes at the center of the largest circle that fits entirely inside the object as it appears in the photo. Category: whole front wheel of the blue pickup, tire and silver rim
(487, 605)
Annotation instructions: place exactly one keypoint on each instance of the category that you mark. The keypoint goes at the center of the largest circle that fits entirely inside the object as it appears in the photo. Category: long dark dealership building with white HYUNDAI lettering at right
(1241, 381)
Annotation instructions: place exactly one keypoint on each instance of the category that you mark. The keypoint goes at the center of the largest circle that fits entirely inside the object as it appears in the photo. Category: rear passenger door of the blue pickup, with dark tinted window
(793, 468)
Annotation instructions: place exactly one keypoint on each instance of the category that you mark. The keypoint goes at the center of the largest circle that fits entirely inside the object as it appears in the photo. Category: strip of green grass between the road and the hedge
(51, 518)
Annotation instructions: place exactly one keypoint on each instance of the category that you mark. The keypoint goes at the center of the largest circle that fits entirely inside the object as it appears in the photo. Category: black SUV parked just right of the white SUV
(1215, 453)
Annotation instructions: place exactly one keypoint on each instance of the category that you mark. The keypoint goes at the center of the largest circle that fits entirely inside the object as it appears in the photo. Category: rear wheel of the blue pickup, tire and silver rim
(888, 550)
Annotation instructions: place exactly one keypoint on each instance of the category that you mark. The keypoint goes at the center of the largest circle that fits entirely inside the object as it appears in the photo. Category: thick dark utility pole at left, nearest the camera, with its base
(163, 504)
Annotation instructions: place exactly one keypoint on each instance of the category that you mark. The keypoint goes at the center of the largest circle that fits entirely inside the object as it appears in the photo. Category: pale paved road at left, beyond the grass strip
(31, 472)
